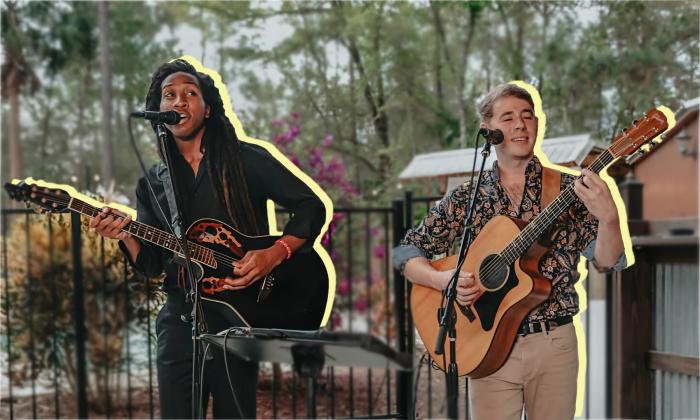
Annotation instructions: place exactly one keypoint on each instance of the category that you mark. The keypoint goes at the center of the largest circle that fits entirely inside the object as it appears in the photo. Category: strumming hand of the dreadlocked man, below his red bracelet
(255, 265)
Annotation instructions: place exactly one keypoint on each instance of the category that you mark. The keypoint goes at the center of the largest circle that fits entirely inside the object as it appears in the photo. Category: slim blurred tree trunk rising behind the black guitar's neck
(107, 172)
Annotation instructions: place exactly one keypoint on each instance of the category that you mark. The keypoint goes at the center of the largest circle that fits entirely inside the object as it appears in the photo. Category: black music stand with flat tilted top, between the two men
(309, 351)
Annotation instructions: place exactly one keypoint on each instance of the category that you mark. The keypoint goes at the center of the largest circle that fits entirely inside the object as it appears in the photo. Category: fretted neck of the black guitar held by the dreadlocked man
(149, 234)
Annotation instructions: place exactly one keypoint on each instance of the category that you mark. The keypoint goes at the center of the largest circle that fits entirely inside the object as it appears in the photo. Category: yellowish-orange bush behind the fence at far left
(40, 279)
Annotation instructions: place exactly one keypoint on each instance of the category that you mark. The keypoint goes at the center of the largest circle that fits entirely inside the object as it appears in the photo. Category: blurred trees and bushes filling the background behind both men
(349, 91)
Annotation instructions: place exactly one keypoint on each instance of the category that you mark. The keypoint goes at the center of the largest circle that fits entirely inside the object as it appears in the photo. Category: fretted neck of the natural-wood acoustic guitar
(548, 216)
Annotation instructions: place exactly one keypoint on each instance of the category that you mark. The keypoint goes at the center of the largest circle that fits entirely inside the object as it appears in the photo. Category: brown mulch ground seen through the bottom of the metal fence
(430, 400)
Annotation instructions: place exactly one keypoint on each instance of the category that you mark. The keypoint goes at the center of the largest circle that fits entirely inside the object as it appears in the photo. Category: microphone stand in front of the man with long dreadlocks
(196, 317)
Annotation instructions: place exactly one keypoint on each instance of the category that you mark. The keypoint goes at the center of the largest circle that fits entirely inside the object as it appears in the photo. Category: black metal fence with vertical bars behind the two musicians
(75, 380)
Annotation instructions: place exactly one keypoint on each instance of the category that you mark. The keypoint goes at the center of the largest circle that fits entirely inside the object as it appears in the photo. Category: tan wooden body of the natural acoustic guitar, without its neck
(483, 345)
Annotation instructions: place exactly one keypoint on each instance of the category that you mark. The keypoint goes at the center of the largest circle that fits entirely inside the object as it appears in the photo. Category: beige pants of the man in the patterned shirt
(540, 374)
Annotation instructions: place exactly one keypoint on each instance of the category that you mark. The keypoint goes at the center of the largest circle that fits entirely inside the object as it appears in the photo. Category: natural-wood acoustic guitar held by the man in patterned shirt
(504, 258)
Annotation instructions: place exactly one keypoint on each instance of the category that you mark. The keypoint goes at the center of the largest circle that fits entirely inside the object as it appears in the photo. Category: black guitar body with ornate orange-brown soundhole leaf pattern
(298, 287)
